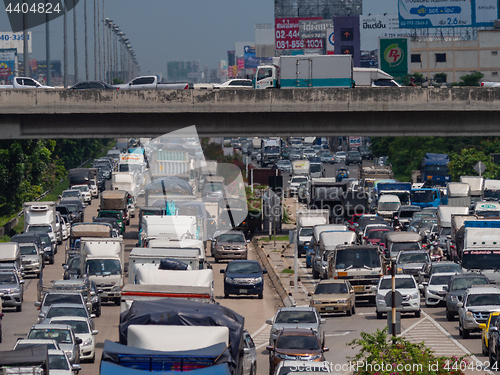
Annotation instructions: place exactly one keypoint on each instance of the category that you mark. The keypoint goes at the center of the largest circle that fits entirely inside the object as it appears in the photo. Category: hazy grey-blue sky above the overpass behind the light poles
(160, 30)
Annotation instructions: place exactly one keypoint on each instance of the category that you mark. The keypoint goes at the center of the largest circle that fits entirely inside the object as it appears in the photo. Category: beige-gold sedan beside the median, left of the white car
(334, 296)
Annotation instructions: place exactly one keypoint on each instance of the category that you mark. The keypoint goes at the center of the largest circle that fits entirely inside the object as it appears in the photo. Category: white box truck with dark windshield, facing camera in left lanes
(102, 259)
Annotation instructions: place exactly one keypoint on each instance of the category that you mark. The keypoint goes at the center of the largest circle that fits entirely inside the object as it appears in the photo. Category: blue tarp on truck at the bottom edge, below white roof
(124, 357)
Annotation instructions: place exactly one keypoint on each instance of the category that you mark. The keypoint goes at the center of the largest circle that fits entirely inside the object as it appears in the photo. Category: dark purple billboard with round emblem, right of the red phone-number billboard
(347, 39)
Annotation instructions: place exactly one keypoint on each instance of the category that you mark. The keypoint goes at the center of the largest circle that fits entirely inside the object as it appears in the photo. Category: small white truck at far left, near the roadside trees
(41, 216)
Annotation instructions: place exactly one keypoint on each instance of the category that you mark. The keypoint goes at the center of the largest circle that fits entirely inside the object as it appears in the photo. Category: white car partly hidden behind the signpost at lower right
(409, 289)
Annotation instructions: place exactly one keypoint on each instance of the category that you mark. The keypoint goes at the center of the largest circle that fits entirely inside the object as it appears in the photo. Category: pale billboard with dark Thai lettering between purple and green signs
(377, 26)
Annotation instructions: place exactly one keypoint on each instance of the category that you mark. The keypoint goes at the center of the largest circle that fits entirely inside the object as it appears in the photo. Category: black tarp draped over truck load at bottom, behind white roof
(172, 312)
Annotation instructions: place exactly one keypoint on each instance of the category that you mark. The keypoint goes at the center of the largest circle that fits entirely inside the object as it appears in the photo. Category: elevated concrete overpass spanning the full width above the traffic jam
(406, 111)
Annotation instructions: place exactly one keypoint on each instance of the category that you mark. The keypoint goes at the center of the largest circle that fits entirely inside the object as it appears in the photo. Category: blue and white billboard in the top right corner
(447, 13)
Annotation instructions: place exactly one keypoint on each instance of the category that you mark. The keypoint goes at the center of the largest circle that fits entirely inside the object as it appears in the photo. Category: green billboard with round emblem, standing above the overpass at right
(394, 56)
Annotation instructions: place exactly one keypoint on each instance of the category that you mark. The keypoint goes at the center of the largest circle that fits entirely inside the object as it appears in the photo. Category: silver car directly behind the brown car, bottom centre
(297, 317)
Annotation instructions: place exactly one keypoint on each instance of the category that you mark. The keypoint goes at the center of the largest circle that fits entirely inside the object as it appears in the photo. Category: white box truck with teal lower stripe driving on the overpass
(289, 72)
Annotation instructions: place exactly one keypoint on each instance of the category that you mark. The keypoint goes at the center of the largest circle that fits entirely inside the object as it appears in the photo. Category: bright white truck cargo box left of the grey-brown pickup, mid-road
(167, 227)
